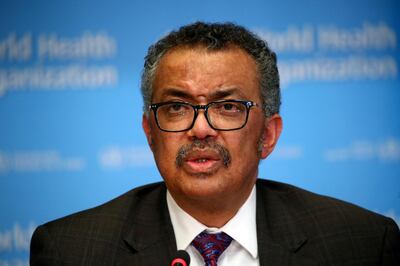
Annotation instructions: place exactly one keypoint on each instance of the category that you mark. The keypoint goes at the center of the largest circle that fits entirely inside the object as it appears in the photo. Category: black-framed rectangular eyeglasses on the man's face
(221, 115)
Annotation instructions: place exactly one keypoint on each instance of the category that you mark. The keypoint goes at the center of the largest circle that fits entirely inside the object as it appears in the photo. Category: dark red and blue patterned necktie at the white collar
(211, 246)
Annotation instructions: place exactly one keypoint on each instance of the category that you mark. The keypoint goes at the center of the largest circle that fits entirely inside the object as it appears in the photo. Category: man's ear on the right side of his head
(272, 131)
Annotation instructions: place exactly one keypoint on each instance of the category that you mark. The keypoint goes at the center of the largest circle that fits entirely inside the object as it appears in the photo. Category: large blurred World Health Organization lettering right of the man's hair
(332, 53)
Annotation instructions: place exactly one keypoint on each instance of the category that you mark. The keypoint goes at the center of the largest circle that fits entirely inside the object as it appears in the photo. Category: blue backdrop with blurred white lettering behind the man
(70, 104)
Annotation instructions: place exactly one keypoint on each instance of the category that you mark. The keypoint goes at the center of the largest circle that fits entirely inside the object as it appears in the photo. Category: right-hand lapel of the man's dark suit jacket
(280, 239)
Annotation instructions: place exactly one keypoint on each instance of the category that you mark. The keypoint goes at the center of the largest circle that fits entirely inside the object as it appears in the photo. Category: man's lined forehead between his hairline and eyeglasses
(202, 74)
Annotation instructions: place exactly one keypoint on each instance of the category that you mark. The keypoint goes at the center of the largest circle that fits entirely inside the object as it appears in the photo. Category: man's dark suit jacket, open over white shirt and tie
(294, 227)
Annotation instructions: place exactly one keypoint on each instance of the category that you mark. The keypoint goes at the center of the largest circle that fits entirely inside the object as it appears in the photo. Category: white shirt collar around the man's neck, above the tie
(242, 227)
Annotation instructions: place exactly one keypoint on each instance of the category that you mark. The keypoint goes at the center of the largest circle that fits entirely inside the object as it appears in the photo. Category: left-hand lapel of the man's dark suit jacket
(149, 233)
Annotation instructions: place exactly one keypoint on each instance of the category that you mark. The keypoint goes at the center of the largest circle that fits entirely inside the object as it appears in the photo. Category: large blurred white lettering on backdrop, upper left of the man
(54, 62)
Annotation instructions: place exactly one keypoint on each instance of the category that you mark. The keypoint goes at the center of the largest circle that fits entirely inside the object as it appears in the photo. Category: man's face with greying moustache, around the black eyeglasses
(203, 163)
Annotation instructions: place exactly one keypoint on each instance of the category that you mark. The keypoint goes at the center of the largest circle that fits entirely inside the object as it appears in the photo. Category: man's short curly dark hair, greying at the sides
(218, 36)
